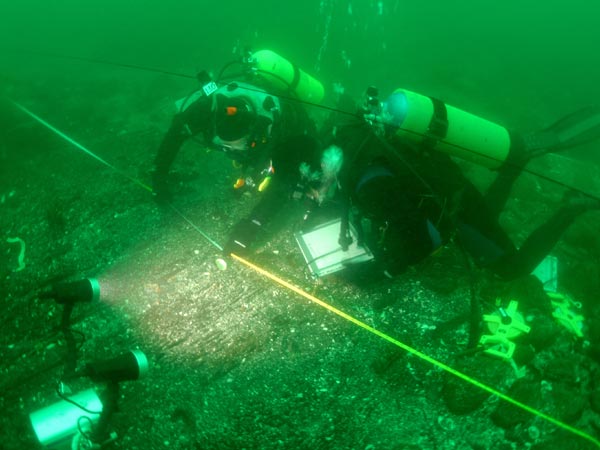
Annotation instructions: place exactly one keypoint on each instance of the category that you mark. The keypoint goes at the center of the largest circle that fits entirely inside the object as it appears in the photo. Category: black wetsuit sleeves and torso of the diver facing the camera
(291, 141)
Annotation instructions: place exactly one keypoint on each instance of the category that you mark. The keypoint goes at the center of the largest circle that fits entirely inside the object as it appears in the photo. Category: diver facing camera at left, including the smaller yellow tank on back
(266, 136)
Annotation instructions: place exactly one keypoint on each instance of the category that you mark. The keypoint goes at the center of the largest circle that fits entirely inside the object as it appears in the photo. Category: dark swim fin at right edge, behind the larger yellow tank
(575, 129)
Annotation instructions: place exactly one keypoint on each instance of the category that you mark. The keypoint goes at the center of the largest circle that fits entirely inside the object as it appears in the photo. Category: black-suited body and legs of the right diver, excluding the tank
(409, 200)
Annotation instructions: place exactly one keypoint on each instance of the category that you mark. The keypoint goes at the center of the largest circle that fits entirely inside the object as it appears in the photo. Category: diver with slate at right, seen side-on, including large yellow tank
(406, 197)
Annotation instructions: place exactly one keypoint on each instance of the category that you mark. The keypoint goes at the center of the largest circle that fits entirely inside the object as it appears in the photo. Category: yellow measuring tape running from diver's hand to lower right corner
(415, 352)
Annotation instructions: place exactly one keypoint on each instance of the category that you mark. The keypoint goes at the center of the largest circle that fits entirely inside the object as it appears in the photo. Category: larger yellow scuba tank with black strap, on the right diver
(447, 129)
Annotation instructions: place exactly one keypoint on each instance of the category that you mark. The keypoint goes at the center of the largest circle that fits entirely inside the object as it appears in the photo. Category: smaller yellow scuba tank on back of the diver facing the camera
(282, 74)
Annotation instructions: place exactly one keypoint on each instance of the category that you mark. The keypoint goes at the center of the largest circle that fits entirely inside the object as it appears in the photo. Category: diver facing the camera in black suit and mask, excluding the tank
(265, 135)
